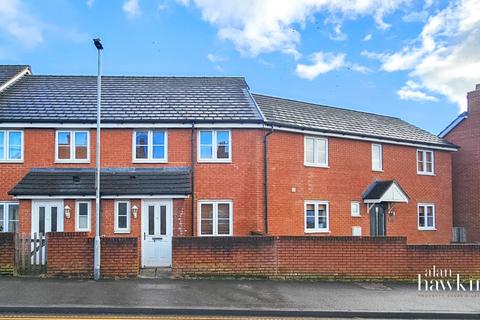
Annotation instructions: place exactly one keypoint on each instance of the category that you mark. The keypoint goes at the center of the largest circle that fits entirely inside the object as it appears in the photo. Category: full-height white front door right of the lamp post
(156, 233)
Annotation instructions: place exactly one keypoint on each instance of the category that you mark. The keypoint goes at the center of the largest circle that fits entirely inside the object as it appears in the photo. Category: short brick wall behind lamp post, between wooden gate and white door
(70, 254)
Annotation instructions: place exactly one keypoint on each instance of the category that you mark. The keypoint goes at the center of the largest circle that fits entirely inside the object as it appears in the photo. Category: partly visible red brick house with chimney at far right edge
(465, 132)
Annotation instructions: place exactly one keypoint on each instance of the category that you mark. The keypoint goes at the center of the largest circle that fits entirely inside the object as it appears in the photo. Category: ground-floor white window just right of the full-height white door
(215, 218)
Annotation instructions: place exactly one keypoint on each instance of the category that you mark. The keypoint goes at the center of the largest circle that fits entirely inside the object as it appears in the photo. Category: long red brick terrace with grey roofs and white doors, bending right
(201, 156)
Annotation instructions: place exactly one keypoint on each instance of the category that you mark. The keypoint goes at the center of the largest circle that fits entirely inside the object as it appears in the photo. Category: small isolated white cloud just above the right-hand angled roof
(321, 63)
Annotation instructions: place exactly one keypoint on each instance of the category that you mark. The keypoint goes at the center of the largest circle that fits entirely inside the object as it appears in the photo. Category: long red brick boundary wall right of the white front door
(318, 257)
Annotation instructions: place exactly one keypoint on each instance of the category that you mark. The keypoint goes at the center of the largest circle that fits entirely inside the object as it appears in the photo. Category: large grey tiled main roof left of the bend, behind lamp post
(44, 98)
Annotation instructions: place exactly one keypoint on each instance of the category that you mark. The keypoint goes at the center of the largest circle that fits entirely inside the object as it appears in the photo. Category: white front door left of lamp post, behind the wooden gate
(47, 216)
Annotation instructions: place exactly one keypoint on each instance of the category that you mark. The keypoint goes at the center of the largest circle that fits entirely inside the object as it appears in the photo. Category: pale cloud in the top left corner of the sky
(17, 22)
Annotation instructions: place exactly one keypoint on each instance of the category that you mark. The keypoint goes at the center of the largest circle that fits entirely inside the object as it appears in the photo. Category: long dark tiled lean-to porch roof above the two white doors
(81, 182)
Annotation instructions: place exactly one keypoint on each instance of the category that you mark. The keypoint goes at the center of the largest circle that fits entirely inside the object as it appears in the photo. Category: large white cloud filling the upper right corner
(444, 57)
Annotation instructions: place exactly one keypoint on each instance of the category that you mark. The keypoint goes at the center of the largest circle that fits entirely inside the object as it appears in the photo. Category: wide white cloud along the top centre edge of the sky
(256, 27)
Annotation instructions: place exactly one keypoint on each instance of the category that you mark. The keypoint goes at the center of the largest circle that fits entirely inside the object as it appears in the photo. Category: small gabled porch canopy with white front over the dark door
(385, 191)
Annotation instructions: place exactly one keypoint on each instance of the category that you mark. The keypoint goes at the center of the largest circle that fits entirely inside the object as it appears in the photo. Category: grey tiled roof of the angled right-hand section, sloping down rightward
(303, 115)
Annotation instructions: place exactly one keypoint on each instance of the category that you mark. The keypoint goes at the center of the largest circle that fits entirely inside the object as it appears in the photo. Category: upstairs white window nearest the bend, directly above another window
(214, 146)
